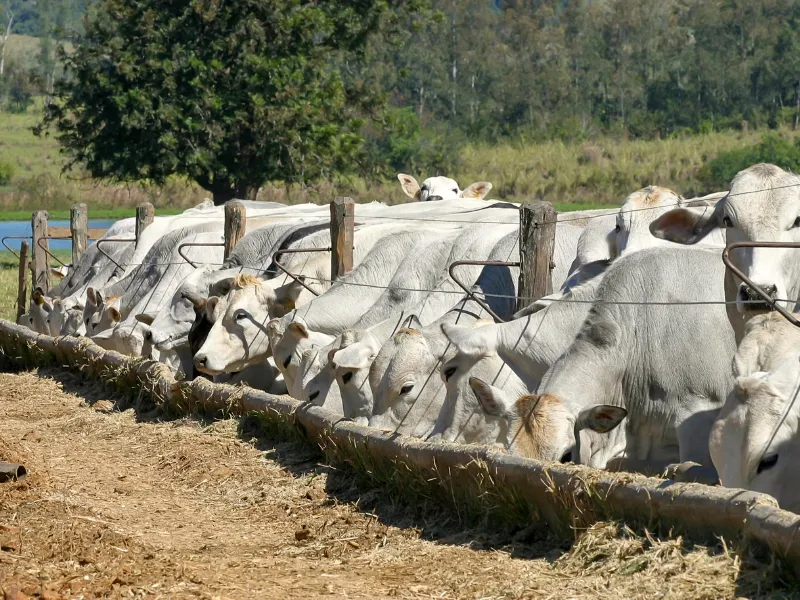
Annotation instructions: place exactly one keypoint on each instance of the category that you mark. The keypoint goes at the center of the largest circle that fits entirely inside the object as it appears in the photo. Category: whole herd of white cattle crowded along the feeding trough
(649, 354)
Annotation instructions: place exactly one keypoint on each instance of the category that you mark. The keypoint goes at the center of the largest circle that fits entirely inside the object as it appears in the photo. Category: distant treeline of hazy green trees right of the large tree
(491, 69)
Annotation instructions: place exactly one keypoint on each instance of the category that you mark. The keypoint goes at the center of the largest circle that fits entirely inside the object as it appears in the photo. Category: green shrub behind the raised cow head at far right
(718, 172)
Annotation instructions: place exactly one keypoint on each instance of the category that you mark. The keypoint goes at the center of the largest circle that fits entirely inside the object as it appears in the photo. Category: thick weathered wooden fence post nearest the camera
(537, 240)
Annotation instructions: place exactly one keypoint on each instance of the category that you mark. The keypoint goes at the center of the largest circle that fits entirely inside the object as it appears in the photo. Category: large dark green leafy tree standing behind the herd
(228, 94)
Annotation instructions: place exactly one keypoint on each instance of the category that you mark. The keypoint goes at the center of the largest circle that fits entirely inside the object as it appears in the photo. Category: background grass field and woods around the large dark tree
(575, 102)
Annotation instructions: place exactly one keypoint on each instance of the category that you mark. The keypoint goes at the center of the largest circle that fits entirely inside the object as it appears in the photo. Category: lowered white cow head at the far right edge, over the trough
(754, 442)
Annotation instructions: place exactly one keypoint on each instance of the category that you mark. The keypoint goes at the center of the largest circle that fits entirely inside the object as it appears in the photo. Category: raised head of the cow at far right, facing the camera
(763, 205)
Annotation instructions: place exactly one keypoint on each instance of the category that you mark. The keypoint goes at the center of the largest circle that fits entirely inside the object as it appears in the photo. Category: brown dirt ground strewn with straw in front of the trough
(123, 505)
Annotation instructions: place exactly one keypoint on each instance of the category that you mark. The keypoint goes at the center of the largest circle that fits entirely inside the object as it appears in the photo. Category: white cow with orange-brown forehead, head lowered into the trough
(668, 365)
